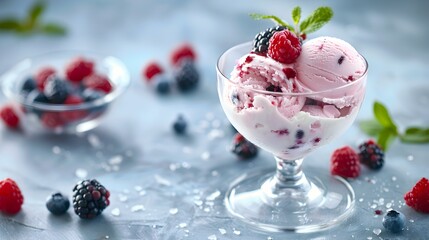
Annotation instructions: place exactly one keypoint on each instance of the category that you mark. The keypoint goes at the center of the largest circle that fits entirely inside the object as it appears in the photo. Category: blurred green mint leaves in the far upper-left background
(31, 23)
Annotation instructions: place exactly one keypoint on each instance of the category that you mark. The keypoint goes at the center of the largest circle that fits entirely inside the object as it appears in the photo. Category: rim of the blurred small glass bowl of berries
(7, 81)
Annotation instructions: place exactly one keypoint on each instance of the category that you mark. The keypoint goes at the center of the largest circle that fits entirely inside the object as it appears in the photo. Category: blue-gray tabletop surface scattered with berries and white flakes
(181, 181)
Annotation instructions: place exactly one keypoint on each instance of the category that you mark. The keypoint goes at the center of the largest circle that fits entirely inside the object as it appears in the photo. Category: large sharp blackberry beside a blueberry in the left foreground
(90, 198)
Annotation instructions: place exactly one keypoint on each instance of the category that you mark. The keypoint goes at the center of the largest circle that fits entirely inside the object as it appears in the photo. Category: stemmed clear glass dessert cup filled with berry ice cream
(287, 199)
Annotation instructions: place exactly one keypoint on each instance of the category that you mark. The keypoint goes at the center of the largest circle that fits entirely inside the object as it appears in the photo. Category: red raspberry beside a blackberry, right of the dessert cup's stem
(345, 163)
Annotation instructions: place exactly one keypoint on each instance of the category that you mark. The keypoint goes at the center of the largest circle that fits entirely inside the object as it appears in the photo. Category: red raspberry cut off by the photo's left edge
(11, 198)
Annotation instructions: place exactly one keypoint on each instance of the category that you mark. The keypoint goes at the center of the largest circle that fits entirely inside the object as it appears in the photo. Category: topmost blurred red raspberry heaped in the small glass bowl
(78, 69)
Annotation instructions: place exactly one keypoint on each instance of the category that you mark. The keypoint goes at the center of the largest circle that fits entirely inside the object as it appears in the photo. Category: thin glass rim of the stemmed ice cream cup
(221, 73)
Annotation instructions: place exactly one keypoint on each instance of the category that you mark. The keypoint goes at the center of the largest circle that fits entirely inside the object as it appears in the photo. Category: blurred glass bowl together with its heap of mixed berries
(64, 91)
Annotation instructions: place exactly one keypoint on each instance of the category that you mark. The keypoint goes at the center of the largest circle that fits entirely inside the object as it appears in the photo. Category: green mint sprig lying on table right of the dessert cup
(386, 131)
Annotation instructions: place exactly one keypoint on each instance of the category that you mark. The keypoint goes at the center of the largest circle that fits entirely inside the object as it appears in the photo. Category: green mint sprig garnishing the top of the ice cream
(317, 19)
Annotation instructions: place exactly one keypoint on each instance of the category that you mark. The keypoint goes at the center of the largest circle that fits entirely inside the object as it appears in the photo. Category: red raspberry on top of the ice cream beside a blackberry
(284, 47)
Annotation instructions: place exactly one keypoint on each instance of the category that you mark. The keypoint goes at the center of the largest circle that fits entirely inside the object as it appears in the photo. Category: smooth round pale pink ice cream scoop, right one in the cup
(326, 63)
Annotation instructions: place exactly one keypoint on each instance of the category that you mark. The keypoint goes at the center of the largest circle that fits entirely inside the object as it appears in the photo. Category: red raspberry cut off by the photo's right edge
(418, 197)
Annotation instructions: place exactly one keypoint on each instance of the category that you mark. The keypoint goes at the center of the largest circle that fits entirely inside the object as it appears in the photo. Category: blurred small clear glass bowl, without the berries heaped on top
(80, 117)
